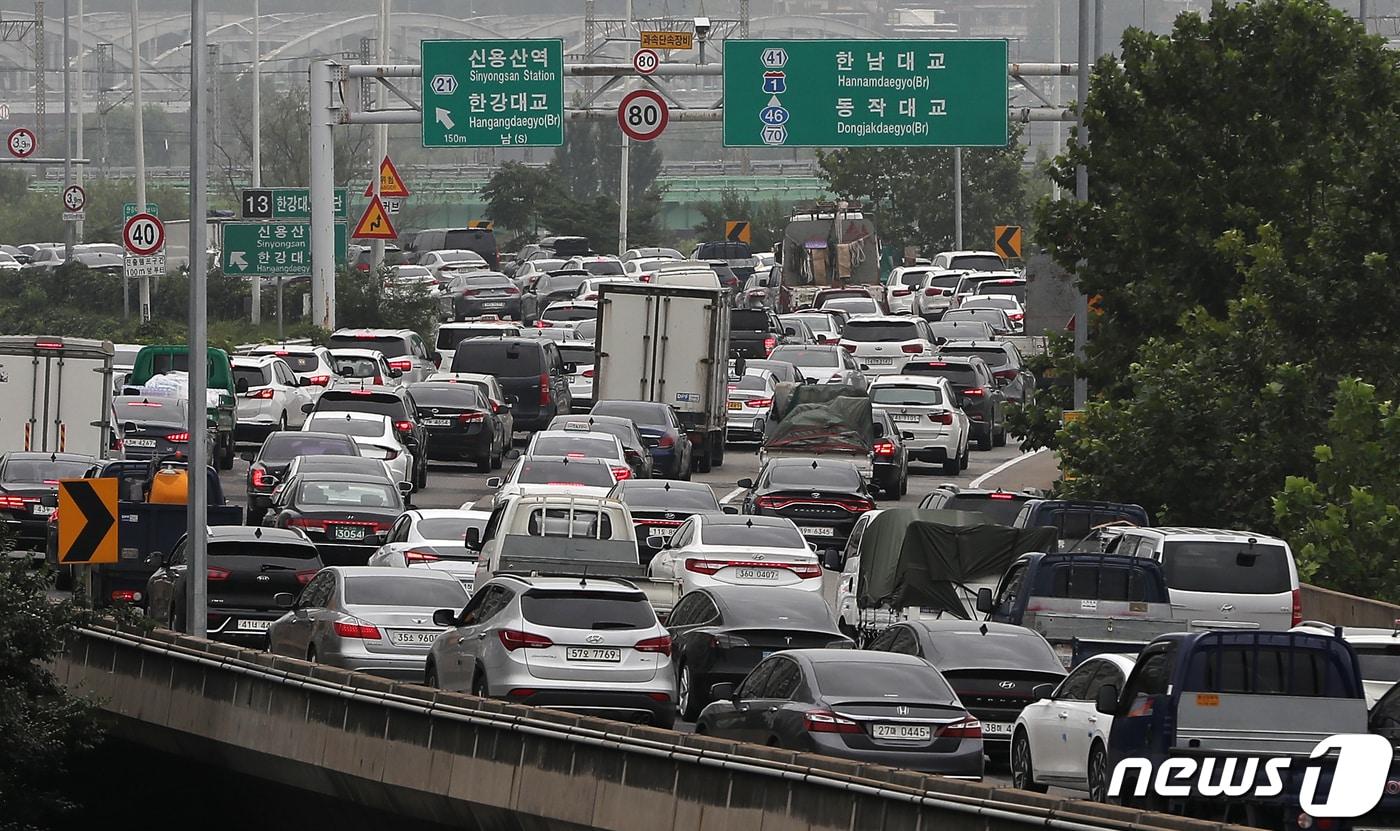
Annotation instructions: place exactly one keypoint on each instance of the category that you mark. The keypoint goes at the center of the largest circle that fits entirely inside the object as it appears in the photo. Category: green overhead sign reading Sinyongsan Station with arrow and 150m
(493, 93)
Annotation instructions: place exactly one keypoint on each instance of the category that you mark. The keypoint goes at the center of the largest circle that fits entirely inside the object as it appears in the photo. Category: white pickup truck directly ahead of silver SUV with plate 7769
(563, 535)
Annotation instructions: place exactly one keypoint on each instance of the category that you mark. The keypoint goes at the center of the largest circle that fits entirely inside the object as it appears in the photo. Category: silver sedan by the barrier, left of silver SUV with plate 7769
(374, 620)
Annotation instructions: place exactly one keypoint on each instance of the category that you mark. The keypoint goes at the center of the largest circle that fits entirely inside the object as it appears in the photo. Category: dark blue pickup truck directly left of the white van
(1084, 604)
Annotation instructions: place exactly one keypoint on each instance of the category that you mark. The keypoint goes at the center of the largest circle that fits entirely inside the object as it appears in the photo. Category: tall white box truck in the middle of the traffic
(668, 345)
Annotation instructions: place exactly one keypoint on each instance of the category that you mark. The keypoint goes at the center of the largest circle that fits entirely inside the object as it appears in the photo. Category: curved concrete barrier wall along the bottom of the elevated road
(485, 765)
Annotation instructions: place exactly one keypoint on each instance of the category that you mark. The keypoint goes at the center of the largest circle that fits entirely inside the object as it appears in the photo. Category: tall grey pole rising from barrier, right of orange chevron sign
(197, 619)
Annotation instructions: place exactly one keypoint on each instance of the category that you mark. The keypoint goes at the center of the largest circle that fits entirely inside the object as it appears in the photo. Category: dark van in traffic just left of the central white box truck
(533, 376)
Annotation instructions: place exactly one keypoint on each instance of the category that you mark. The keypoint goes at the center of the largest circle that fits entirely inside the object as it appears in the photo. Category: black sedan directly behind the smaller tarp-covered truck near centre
(822, 497)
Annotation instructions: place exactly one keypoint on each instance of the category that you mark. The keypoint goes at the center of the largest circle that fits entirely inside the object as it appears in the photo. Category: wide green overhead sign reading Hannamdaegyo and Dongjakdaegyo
(866, 93)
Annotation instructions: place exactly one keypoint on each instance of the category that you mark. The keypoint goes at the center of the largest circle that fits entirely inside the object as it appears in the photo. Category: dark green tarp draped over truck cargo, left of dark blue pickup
(913, 557)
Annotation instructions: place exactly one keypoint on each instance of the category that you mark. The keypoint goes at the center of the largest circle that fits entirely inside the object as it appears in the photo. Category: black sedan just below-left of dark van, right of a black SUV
(461, 423)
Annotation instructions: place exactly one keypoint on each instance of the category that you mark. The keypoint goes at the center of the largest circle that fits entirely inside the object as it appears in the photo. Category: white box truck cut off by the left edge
(57, 395)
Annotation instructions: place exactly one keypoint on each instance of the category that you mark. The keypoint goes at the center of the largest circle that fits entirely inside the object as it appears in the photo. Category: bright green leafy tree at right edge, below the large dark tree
(1345, 521)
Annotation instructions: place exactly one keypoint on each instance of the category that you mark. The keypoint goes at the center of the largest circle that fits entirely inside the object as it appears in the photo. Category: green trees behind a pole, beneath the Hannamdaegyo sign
(912, 191)
